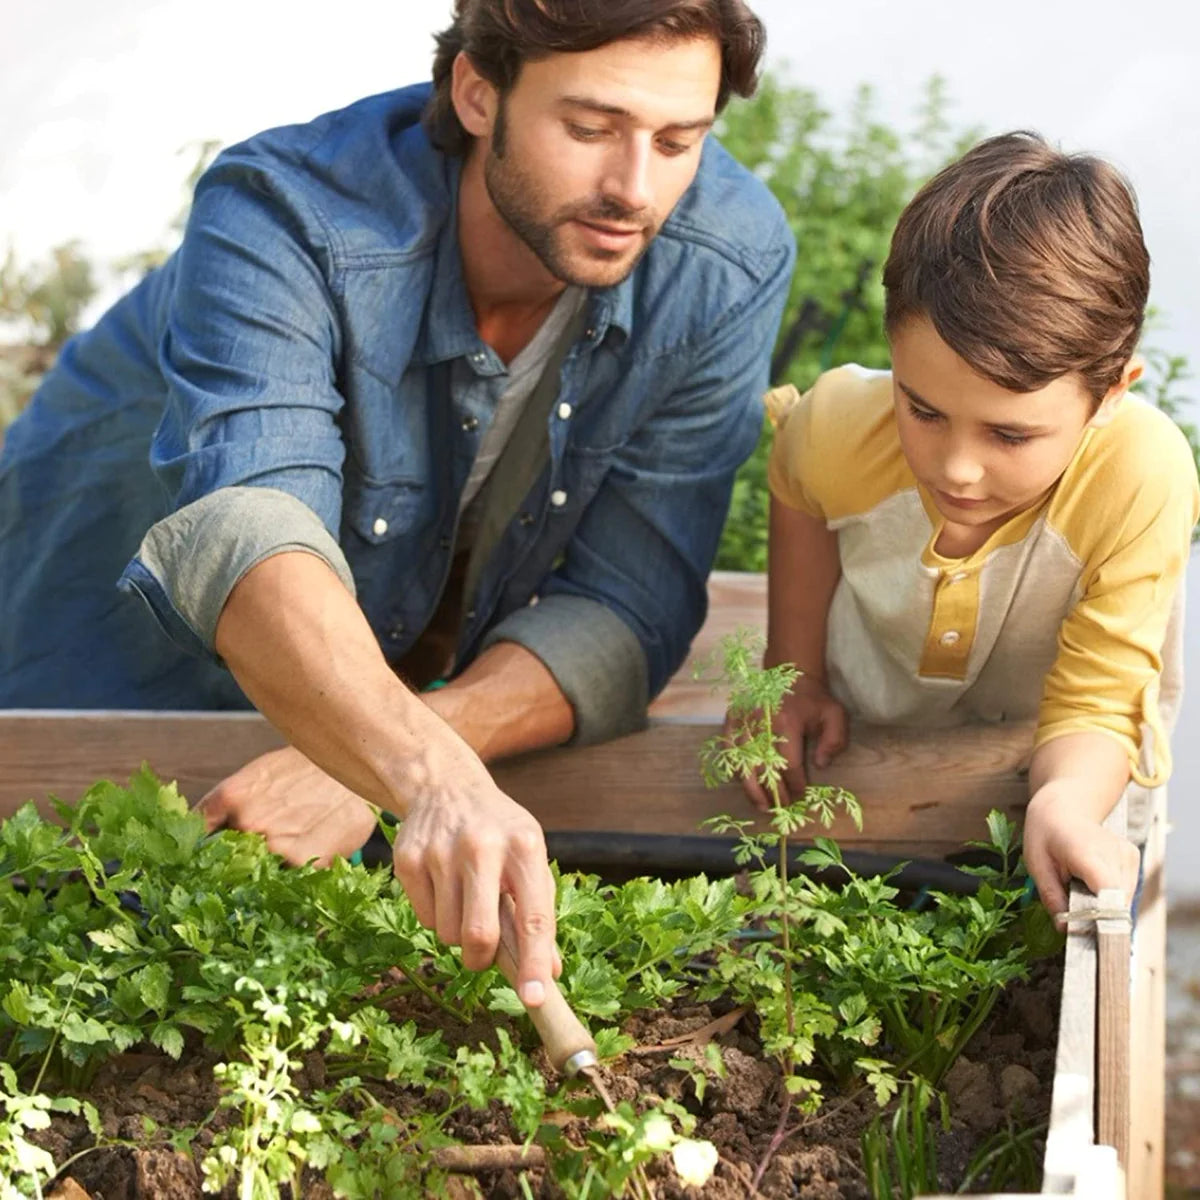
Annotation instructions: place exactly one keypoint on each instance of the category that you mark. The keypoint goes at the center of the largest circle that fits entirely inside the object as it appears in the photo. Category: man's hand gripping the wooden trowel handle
(457, 853)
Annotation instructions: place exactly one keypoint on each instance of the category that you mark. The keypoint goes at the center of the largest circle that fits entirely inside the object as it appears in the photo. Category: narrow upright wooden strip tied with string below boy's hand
(1113, 1025)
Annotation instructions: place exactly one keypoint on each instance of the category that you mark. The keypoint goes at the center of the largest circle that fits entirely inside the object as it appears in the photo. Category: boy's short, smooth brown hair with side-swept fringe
(1029, 262)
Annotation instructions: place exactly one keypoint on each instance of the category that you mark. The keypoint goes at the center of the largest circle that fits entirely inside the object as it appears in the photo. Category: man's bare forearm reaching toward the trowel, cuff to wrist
(303, 652)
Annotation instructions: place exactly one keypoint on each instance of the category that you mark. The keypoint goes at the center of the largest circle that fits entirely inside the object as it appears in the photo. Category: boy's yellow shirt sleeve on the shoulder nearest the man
(837, 451)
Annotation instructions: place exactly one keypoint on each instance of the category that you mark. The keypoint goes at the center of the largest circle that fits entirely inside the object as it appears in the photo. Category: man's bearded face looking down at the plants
(591, 152)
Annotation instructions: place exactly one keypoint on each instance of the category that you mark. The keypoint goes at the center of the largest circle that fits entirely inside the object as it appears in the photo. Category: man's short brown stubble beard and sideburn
(515, 196)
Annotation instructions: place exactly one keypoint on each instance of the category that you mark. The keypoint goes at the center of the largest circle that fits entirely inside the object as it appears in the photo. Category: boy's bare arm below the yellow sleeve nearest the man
(802, 578)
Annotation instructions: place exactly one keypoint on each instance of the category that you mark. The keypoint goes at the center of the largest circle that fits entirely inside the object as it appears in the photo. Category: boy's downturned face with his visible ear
(983, 453)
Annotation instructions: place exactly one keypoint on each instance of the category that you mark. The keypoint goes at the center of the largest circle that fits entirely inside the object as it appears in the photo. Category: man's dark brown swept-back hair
(501, 37)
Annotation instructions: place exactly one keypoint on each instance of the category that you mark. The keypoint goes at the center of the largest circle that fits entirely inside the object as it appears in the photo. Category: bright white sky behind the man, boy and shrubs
(98, 100)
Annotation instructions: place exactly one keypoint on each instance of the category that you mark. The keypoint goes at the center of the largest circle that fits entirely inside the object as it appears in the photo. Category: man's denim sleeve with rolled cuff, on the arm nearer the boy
(616, 620)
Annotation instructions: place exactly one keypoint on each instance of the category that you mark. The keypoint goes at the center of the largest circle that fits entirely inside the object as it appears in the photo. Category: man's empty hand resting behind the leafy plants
(304, 814)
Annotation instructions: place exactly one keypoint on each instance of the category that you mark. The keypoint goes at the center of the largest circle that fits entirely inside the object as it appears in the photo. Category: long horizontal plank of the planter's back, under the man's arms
(925, 795)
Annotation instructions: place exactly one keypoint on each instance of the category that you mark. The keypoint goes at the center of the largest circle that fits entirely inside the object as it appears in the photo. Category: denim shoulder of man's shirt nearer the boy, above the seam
(730, 214)
